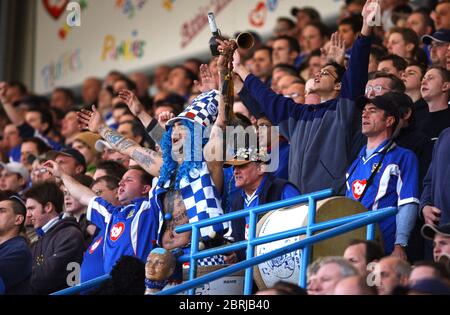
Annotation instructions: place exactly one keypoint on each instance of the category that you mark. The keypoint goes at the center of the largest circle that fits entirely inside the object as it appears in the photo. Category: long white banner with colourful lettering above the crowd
(77, 39)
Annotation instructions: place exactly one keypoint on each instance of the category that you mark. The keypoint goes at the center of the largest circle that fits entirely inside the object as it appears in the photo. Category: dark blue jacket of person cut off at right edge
(437, 181)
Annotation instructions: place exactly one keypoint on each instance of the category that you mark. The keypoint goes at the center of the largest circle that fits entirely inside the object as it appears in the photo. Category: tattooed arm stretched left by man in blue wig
(148, 159)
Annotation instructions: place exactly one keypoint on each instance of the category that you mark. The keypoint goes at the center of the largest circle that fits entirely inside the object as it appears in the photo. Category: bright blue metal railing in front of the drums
(333, 228)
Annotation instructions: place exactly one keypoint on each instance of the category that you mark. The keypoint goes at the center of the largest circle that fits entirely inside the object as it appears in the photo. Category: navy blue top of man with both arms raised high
(320, 135)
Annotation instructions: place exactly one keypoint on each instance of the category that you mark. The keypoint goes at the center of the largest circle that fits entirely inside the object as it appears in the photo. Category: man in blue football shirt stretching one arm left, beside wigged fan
(129, 229)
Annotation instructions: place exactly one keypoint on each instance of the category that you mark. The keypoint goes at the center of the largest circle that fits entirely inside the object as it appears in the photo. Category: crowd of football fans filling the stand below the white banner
(86, 179)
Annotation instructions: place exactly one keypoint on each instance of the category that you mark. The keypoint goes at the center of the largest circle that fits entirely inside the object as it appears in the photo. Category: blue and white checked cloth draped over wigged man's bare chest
(201, 199)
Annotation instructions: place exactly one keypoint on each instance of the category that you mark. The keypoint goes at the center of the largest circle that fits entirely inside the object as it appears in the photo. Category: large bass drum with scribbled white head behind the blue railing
(287, 267)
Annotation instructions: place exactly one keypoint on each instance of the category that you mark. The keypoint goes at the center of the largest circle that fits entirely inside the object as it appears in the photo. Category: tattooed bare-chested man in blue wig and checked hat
(189, 183)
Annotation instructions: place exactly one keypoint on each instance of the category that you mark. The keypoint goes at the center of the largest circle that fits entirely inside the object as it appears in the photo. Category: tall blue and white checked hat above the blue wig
(203, 110)
